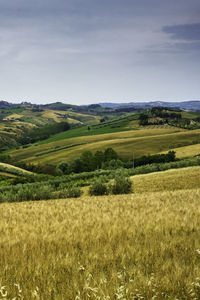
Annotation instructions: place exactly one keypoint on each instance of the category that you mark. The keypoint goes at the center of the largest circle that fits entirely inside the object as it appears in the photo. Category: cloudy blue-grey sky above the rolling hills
(90, 51)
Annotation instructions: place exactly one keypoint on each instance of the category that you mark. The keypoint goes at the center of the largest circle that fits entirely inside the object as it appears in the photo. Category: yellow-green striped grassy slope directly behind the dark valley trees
(141, 142)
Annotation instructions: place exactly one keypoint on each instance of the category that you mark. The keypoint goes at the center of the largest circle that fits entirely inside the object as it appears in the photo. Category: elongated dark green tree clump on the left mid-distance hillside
(42, 133)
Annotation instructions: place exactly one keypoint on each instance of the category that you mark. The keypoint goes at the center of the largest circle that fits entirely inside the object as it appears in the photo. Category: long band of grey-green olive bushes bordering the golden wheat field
(47, 187)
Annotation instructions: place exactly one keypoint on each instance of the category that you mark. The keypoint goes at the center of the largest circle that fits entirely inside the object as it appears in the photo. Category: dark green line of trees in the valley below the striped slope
(89, 162)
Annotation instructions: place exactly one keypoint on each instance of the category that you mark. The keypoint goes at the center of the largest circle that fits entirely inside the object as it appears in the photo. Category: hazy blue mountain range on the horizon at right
(187, 105)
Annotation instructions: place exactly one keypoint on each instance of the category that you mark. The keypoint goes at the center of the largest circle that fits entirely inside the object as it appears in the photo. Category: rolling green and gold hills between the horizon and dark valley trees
(93, 128)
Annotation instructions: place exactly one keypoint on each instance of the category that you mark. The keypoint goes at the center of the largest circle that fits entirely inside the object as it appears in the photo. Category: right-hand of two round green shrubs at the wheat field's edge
(121, 185)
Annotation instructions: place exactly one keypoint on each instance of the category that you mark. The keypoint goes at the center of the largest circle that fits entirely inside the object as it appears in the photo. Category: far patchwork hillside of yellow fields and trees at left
(16, 122)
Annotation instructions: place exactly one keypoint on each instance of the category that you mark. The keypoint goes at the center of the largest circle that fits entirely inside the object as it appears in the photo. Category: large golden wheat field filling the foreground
(138, 246)
